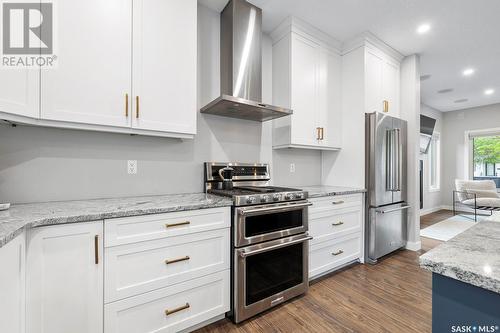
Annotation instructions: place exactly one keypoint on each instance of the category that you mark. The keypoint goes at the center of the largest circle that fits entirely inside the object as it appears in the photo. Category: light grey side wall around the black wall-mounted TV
(432, 199)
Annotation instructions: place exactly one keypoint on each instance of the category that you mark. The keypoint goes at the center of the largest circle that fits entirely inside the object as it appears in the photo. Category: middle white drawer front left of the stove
(136, 268)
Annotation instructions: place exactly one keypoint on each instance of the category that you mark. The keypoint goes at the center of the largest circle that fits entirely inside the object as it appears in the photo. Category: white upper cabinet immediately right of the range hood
(307, 79)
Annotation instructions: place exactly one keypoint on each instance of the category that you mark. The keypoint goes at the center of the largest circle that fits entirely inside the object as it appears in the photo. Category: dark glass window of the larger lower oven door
(274, 271)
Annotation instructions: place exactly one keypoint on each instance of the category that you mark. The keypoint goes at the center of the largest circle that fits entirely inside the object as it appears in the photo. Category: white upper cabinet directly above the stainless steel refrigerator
(382, 82)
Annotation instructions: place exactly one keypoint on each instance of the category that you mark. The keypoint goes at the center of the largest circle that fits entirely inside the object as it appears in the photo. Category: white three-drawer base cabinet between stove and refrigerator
(336, 225)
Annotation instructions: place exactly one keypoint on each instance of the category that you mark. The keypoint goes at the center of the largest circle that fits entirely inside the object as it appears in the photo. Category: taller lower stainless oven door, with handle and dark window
(269, 273)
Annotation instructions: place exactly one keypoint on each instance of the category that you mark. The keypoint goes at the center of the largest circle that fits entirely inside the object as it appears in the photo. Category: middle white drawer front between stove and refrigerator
(335, 224)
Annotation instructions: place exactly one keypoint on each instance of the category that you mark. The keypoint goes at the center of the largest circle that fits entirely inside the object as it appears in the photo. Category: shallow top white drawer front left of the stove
(127, 230)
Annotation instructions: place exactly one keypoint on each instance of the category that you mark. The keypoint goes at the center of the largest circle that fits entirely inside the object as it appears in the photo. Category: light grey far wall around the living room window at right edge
(455, 156)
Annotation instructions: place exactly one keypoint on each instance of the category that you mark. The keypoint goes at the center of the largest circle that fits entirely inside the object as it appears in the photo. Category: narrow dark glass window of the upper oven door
(266, 223)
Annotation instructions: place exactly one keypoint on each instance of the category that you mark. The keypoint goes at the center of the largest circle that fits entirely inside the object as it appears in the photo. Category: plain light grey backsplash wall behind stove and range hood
(42, 164)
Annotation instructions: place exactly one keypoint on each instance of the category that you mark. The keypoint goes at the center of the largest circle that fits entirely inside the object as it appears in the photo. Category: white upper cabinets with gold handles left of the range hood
(122, 66)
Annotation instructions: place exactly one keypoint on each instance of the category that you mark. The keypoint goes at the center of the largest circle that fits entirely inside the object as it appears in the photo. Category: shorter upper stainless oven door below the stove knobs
(255, 224)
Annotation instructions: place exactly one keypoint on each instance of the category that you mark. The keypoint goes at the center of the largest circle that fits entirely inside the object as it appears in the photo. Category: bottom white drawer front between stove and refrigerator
(329, 255)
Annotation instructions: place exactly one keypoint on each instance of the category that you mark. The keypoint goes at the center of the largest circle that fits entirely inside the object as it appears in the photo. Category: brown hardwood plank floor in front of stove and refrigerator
(392, 296)
